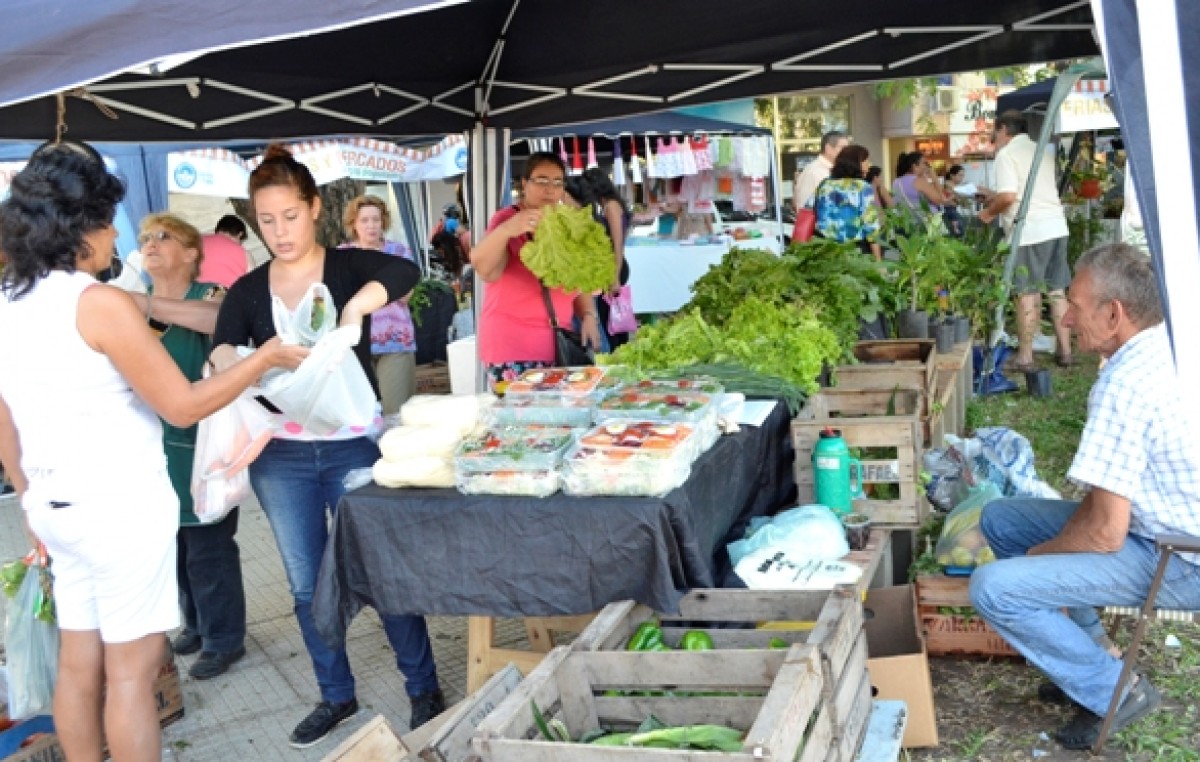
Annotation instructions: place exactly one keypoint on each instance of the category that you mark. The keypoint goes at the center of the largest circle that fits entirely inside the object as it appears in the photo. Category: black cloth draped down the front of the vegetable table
(442, 553)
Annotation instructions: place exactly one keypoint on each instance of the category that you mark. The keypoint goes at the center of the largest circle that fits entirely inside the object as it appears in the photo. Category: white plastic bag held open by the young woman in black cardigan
(329, 391)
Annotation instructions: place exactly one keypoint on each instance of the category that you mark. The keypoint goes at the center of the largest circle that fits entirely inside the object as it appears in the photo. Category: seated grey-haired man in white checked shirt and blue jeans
(1141, 466)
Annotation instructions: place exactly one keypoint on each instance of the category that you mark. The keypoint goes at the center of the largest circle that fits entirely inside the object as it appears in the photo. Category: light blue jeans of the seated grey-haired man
(1021, 597)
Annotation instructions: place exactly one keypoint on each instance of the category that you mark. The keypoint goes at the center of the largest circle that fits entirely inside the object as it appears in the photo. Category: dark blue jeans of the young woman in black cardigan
(299, 485)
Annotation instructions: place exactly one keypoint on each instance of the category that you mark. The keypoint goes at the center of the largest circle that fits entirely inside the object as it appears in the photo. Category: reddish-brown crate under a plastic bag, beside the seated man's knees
(965, 635)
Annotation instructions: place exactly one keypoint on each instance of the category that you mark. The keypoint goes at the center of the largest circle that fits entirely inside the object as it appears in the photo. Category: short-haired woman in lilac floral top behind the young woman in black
(393, 338)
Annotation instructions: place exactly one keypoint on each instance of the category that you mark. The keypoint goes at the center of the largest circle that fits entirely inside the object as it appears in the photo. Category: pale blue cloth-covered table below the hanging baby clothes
(662, 272)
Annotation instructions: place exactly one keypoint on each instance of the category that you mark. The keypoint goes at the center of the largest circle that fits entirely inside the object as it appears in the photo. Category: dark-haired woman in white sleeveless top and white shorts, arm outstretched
(85, 379)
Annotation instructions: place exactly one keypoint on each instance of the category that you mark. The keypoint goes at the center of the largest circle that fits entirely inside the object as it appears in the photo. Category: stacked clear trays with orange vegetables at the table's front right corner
(635, 459)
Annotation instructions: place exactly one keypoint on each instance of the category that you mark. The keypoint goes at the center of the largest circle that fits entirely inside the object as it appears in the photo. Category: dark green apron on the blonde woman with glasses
(189, 350)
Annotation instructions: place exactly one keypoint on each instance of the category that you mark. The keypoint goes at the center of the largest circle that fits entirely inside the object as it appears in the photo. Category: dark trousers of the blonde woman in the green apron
(211, 589)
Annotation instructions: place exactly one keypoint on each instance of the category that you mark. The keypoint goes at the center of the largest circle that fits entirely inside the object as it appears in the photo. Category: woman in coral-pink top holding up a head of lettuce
(514, 328)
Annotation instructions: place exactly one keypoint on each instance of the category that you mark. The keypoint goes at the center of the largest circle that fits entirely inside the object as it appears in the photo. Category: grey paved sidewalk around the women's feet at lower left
(248, 713)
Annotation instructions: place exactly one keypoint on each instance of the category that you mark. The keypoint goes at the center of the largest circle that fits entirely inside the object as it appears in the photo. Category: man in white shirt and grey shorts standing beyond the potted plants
(1042, 256)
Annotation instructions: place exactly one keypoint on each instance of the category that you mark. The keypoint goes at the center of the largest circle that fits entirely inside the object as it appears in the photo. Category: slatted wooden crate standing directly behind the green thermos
(862, 418)
